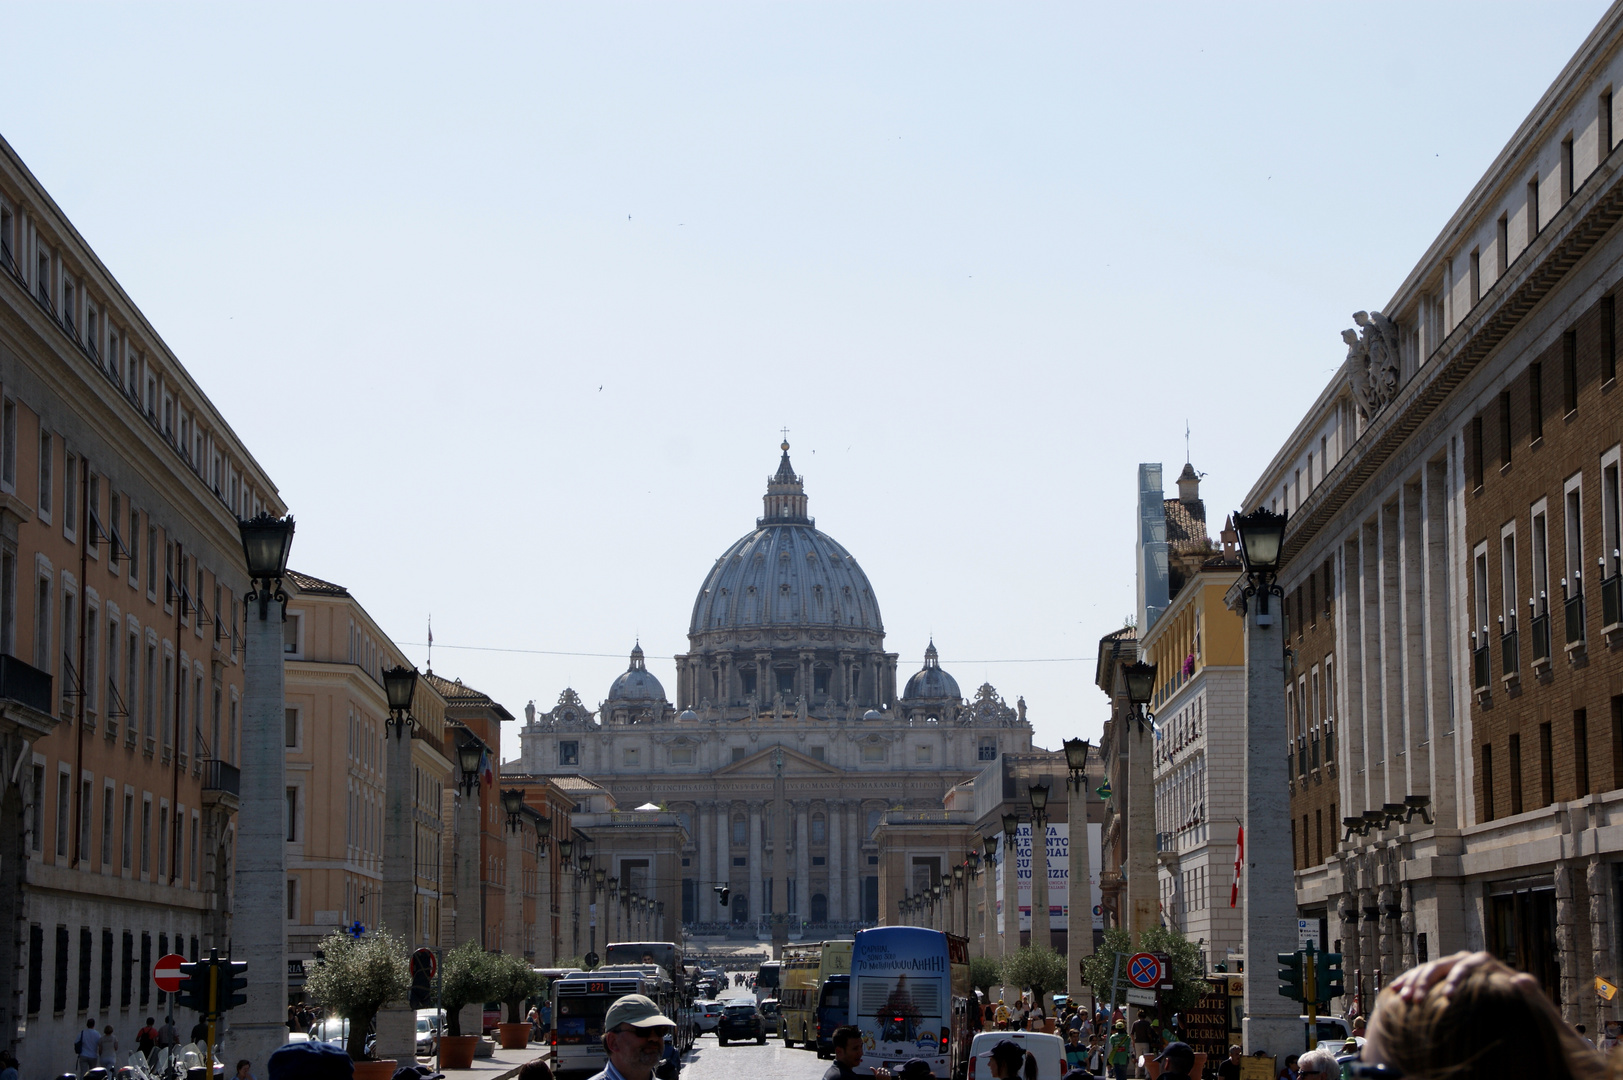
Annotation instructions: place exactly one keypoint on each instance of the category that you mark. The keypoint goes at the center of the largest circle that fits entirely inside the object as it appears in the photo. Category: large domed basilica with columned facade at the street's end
(788, 738)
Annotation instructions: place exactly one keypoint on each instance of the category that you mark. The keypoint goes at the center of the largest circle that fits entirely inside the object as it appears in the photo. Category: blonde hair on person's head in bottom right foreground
(1491, 1022)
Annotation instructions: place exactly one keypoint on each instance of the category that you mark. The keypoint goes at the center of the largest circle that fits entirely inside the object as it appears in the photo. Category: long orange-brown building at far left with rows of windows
(121, 680)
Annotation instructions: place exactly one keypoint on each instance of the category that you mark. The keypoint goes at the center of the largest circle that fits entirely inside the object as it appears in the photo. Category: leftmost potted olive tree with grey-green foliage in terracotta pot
(358, 978)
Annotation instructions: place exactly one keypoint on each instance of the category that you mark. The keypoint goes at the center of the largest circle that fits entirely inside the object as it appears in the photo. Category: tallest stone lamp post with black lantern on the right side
(1268, 905)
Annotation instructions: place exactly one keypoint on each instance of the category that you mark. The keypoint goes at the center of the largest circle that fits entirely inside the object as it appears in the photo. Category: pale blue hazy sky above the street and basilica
(514, 303)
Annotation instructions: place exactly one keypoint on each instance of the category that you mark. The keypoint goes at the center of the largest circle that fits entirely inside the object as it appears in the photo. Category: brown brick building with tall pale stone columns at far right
(1452, 579)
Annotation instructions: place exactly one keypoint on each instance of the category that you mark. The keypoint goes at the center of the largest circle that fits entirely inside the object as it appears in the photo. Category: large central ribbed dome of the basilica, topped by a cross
(786, 574)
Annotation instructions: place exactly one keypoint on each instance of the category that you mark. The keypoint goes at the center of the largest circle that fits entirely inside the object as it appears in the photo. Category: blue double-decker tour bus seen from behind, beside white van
(910, 998)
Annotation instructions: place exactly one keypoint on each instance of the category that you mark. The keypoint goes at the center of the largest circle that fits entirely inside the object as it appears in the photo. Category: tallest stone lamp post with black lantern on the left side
(260, 935)
